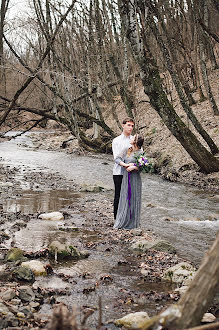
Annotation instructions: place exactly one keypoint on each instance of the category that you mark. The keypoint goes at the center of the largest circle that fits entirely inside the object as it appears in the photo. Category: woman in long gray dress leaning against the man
(129, 209)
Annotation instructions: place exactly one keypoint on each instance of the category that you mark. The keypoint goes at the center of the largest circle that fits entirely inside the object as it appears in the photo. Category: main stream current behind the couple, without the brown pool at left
(173, 211)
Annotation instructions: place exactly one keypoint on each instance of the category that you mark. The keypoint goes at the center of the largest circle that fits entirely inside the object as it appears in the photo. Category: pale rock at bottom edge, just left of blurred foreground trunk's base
(133, 320)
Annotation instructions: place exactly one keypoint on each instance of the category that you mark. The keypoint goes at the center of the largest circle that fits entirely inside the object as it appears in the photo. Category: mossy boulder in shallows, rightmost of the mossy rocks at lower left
(63, 250)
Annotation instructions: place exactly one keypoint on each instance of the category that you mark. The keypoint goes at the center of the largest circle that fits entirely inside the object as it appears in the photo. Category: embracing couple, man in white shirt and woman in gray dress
(126, 177)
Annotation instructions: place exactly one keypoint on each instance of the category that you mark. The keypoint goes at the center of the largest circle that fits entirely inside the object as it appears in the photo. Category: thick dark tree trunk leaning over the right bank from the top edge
(153, 88)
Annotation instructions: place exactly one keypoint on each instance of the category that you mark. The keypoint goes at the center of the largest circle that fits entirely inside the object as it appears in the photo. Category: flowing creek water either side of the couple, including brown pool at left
(187, 217)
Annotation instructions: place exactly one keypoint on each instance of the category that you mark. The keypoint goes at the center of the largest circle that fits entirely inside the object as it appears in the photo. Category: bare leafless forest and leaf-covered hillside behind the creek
(85, 65)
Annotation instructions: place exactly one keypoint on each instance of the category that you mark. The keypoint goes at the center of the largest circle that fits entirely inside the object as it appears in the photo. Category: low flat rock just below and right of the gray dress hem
(144, 245)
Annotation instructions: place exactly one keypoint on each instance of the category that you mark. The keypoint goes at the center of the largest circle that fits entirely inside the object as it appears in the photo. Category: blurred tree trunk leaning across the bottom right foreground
(188, 312)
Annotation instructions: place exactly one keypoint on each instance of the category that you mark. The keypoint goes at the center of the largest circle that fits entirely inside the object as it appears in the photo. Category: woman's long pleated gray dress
(128, 214)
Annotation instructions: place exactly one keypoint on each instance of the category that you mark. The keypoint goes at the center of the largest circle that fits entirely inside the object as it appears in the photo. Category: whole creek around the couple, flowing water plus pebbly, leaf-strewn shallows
(36, 181)
